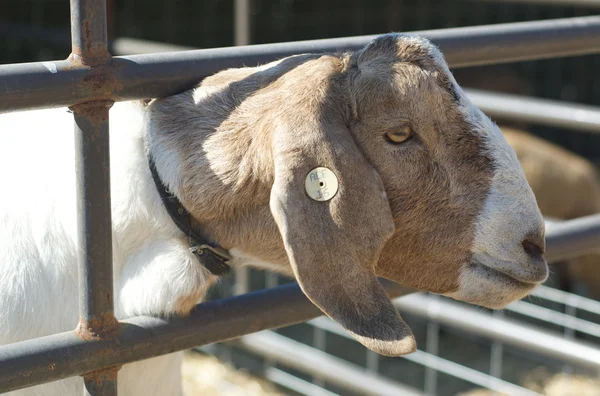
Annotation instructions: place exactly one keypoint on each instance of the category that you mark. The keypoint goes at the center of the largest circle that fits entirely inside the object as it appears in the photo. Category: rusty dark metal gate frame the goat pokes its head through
(90, 80)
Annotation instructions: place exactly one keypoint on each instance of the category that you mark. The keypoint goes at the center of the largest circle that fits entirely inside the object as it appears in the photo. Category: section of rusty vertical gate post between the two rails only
(93, 188)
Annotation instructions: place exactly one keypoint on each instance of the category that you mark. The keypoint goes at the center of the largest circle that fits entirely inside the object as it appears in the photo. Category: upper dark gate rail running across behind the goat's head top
(63, 83)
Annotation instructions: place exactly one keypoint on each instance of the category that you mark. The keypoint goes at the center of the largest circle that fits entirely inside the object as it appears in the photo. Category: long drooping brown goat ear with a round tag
(333, 244)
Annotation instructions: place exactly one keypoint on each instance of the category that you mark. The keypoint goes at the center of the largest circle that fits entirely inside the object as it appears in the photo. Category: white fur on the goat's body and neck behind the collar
(153, 267)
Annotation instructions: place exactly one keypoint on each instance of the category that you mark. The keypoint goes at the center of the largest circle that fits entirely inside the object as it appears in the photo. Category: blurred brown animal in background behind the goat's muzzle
(566, 186)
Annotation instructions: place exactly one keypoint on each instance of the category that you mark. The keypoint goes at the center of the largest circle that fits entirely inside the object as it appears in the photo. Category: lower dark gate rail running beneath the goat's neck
(64, 355)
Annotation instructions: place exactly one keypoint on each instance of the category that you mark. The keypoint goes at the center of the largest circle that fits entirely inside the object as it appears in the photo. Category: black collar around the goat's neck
(214, 258)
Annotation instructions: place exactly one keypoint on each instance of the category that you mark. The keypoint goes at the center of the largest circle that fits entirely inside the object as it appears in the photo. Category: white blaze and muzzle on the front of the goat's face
(509, 216)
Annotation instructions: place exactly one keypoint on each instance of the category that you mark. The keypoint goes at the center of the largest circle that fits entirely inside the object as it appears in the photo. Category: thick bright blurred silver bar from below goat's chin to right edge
(507, 331)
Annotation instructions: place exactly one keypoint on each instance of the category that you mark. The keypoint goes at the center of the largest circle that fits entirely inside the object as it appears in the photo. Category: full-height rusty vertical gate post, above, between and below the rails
(96, 308)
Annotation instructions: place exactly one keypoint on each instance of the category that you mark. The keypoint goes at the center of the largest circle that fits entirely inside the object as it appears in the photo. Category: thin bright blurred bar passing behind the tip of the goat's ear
(441, 365)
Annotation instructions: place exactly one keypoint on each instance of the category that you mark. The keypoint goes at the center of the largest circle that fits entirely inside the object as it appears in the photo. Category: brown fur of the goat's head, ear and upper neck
(248, 145)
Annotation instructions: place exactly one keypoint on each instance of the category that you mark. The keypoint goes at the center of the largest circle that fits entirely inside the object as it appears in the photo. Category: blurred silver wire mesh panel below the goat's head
(453, 355)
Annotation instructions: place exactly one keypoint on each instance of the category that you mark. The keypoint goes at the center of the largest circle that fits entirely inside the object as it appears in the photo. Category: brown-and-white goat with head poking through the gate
(421, 188)
